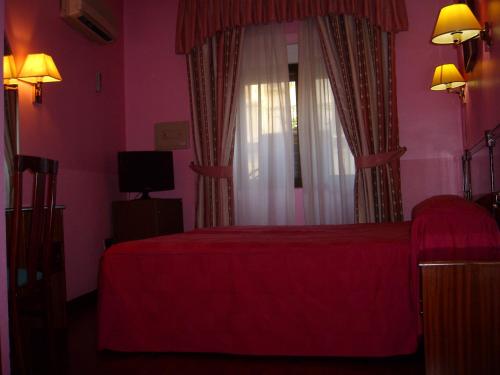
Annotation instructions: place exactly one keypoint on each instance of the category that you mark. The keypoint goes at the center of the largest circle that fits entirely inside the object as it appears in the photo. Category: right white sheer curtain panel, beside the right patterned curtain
(326, 161)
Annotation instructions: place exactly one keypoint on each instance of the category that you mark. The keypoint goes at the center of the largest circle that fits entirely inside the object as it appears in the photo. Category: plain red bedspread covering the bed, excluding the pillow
(316, 290)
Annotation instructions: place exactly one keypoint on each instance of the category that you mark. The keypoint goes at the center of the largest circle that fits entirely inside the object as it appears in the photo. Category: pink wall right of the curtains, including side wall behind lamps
(435, 126)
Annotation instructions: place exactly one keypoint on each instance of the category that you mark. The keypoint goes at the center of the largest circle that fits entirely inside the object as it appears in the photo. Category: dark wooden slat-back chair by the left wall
(31, 248)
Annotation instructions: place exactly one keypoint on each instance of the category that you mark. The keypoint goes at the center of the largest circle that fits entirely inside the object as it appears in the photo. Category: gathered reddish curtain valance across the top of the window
(199, 19)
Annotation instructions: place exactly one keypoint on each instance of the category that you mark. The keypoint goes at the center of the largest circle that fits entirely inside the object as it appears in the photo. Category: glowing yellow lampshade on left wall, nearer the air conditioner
(39, 67)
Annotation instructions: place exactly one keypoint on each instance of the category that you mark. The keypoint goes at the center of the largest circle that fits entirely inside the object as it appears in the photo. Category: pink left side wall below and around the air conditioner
(75, 125)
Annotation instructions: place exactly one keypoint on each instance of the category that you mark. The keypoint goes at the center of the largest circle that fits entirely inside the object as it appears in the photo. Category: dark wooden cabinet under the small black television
(143, 218)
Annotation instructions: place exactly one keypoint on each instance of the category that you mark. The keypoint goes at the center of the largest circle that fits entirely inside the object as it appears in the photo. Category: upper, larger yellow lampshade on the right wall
(455, 24)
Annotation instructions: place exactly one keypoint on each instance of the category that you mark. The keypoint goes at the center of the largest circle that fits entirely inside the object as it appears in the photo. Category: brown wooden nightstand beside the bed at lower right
(461, 315)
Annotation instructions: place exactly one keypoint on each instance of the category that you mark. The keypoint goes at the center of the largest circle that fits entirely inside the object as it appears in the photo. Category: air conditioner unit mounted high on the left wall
(91, 17)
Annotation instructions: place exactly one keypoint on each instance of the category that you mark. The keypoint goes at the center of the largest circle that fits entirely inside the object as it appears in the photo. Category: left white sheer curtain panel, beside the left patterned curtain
(263, 156)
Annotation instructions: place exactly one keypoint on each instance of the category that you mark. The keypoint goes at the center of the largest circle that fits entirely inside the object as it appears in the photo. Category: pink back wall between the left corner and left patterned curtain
(156, 88)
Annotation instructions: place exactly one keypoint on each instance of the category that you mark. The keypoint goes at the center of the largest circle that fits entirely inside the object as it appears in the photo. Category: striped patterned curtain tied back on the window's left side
(212, 72)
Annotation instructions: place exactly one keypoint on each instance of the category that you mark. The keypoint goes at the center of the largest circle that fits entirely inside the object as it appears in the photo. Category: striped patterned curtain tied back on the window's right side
(359, 58)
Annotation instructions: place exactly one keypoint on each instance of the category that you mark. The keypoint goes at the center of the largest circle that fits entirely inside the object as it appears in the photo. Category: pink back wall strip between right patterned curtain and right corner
(429, 122)
